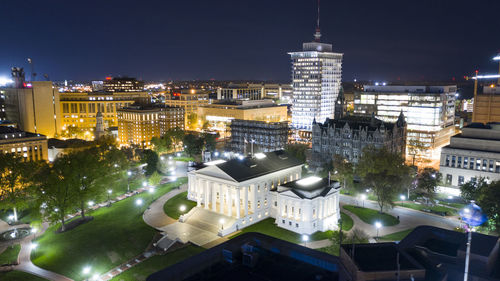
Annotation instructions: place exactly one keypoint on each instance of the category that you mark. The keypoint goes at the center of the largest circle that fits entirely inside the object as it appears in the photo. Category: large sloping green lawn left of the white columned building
(116, 234)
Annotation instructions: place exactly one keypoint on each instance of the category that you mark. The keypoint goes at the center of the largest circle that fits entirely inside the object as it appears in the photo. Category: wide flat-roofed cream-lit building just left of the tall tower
(219, 115)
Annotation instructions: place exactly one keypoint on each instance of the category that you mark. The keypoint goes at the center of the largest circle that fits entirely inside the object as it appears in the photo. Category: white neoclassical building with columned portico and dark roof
(247, 190)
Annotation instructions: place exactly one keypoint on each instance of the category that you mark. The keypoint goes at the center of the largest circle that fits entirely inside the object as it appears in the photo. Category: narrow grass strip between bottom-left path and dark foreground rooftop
(156, 263)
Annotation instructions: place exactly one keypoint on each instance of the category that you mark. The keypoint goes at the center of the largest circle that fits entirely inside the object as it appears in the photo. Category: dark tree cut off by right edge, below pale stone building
(489, 201)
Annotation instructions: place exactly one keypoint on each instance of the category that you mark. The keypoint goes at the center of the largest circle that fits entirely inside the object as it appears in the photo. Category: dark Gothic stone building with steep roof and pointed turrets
(349, 135)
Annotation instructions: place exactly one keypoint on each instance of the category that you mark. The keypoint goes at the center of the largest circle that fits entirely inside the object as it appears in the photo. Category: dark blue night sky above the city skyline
(186, 39)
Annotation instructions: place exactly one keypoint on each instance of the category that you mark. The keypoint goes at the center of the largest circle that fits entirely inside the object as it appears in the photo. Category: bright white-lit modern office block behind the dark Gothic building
(429, 113)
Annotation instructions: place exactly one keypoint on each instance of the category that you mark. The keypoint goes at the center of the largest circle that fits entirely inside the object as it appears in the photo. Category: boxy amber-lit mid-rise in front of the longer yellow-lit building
(138, 124)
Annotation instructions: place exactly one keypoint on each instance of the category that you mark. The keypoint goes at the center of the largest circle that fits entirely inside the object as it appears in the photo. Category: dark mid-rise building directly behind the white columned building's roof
(263, 136)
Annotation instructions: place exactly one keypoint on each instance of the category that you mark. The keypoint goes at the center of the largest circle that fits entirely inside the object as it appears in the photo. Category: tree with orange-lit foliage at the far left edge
(15, 180)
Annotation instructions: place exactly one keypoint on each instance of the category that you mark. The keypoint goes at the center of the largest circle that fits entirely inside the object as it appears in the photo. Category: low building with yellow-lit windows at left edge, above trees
(31, 146)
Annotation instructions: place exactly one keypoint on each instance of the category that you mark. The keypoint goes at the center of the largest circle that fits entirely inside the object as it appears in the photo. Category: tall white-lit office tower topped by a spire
(316, 77)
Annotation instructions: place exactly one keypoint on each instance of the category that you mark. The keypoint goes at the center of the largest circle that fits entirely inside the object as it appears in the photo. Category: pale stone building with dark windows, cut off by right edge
(472, 154)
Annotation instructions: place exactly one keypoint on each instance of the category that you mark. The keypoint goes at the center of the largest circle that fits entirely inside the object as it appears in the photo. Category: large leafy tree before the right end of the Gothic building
(385, 172)
